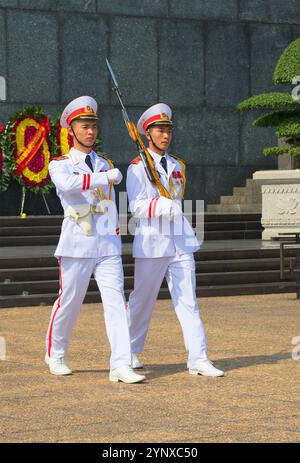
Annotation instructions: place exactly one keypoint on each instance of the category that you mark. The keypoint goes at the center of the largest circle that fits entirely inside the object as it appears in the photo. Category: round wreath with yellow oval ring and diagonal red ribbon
(27, 147)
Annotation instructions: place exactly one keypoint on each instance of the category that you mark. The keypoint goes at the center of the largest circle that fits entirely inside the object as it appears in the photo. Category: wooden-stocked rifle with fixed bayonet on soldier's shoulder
(146, 158)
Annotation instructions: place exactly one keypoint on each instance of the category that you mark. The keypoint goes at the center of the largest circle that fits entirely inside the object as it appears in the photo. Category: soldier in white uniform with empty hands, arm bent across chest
(89, 244)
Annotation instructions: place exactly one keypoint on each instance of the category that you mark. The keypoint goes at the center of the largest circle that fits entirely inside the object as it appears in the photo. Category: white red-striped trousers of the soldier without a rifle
(75, 275)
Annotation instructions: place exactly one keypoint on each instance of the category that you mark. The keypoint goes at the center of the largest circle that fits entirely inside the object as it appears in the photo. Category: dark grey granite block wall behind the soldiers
(200, 56)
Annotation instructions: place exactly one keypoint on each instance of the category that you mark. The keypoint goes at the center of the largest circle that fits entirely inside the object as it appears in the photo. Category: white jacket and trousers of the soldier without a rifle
(87, 247)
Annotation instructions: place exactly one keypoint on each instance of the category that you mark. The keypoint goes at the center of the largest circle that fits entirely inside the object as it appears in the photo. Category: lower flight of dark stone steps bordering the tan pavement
(35, 280)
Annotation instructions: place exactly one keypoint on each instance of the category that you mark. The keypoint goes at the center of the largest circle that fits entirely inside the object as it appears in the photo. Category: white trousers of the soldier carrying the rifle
(180, 275)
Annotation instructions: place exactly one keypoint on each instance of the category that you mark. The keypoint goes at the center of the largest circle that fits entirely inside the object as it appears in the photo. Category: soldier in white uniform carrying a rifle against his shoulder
(164, 244)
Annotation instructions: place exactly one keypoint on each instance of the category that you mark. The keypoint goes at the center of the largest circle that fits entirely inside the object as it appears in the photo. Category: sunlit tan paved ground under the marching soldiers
(248, 336)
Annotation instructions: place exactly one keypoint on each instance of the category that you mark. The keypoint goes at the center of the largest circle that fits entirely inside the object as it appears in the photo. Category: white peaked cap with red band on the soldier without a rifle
(84, 107)
